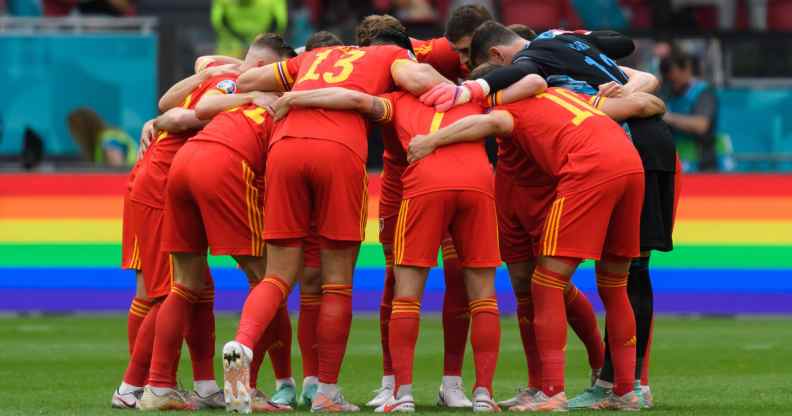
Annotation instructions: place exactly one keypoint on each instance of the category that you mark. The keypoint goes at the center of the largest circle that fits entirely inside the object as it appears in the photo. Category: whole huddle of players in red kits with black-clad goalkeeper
(264, 160)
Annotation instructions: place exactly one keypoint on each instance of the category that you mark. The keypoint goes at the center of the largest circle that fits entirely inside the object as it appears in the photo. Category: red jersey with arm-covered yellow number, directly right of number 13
(461, 166)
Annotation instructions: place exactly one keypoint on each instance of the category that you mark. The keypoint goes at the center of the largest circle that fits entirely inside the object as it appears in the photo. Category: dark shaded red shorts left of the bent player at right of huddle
(521, 211)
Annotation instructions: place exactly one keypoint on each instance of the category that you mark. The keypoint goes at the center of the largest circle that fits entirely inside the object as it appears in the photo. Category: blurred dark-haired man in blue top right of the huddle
(692, 112)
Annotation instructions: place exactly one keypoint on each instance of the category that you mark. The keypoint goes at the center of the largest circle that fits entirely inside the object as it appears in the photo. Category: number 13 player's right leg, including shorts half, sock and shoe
(339, 182)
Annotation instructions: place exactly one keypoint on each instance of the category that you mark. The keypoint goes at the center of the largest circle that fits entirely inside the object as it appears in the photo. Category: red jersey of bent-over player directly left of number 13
(245, 129)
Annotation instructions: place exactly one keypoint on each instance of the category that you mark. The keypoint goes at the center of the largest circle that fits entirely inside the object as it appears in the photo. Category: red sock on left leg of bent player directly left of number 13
(174, 316)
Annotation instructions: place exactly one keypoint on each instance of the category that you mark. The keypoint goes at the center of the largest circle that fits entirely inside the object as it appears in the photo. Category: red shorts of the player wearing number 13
(319, 181)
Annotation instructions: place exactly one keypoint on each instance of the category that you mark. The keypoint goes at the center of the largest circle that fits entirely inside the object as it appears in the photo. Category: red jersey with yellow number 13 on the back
(366, 70)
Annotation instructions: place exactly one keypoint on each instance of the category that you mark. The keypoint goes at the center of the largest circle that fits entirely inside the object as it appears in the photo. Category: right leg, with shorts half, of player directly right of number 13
(475, 233)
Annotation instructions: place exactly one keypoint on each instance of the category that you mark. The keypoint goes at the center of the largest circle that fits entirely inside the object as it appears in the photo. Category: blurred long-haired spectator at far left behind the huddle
(99, 143)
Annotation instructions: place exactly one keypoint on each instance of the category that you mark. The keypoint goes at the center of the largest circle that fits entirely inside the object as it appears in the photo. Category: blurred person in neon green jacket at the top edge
(237, 22)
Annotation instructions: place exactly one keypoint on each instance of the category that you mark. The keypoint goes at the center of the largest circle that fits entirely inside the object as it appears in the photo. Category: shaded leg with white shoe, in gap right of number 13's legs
(385, 391)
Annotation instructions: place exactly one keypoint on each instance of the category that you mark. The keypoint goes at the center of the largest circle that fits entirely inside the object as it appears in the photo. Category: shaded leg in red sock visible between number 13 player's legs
(310, 302)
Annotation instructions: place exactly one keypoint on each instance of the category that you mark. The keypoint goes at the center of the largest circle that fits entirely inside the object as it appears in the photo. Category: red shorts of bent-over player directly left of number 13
(214, 199)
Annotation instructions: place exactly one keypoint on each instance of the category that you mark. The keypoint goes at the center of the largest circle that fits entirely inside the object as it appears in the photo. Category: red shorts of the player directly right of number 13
(424, 220)
